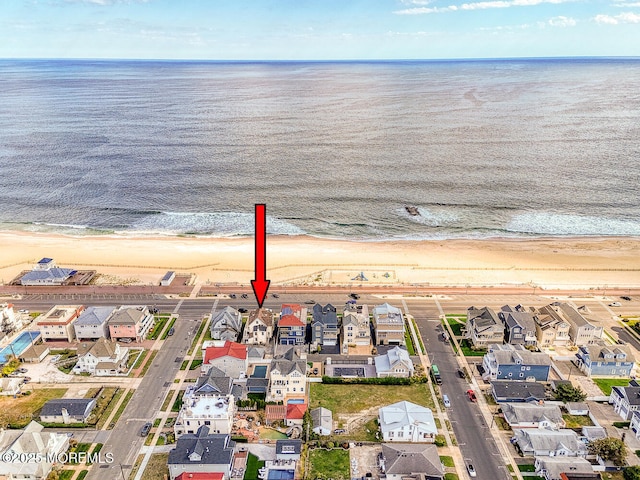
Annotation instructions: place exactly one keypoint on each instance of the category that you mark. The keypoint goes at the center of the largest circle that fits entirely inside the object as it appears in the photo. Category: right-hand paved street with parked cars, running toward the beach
(473, 435)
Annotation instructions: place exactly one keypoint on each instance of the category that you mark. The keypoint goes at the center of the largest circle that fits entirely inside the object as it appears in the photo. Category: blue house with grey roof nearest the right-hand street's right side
(514, 362)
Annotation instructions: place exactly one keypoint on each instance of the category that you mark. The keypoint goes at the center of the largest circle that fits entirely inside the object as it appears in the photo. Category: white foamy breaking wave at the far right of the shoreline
(549, 223)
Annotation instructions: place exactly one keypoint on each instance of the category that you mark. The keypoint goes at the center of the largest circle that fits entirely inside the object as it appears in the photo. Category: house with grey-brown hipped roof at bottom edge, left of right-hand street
(411, 462)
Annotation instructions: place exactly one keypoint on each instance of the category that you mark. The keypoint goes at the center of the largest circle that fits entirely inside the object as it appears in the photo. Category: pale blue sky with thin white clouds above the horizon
(318, 29)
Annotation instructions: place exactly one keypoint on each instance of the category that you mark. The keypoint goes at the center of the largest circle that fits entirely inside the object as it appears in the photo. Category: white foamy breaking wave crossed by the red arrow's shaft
(217, 224)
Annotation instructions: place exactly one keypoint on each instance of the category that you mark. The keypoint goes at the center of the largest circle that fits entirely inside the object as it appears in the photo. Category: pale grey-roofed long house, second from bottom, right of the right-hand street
(550, 443)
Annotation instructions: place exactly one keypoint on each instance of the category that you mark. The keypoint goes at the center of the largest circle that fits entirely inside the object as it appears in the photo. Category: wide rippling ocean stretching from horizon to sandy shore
(519, 148)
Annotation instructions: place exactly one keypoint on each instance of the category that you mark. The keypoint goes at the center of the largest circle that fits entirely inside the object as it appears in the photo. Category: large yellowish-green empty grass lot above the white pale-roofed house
(356, 398)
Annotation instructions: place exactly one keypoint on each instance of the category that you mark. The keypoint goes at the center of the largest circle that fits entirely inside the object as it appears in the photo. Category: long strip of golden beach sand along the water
(551, 263)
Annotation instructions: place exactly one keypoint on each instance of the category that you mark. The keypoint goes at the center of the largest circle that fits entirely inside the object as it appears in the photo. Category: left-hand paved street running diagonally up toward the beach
(125, 442)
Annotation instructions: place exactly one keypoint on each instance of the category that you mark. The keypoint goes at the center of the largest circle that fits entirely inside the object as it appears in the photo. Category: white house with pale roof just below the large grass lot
(407, 422)
